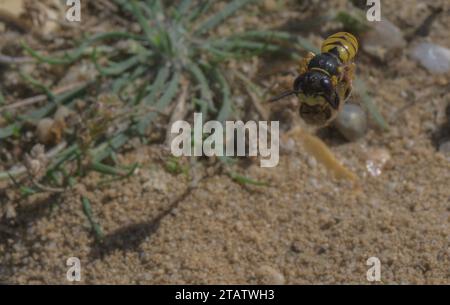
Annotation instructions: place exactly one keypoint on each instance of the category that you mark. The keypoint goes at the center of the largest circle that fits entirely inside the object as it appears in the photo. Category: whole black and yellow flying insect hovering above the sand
(324, 82)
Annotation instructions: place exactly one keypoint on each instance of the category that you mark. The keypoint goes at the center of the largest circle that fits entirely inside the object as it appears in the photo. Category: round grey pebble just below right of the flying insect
(352, 122)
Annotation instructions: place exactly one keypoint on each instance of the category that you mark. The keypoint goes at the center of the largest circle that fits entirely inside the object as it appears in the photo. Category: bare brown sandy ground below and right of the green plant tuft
(305, 227)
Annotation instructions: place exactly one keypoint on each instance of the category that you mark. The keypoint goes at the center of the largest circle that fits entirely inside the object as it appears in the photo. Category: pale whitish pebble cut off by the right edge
(434, 58)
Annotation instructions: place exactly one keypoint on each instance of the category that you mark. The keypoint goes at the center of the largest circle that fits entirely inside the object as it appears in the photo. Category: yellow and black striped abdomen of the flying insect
(343, 44)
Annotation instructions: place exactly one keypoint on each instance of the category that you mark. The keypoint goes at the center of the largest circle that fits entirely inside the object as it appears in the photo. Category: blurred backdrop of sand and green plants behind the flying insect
(86, 170)
